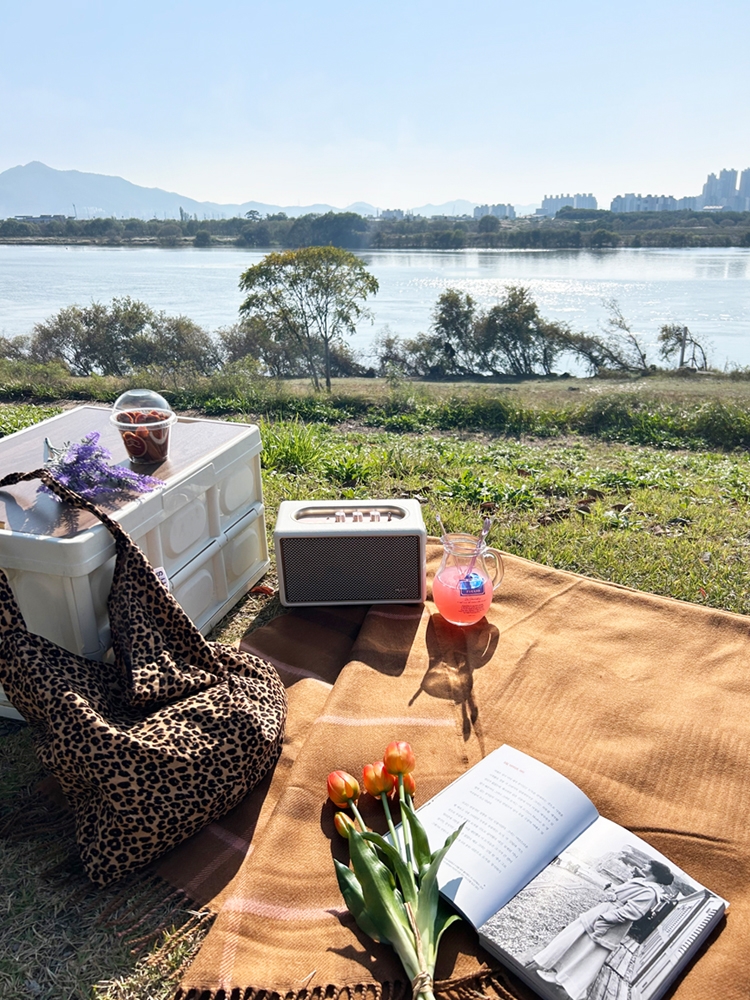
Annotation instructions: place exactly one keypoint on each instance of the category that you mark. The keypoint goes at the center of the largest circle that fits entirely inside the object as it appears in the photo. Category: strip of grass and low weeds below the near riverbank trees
(667, 412)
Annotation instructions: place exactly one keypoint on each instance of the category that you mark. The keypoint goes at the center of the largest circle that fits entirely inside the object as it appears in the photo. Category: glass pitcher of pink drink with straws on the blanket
(468, 576)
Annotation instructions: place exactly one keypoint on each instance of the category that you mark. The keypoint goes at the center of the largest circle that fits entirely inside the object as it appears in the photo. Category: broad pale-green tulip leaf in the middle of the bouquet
(382, 902)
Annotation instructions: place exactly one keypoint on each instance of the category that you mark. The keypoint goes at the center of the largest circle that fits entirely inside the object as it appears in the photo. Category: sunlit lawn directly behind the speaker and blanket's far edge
(669, 522)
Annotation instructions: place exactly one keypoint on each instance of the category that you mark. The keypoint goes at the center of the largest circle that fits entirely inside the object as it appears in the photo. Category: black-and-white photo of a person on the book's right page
(609, 918)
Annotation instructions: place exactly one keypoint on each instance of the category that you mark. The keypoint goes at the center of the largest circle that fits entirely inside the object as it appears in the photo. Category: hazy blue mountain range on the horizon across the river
(36, 189)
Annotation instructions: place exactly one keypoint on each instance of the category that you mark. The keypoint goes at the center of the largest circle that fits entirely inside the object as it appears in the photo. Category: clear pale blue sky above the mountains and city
(393, 103)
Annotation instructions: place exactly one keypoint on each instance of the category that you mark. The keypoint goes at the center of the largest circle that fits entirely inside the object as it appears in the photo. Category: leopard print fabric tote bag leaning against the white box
(149, 748)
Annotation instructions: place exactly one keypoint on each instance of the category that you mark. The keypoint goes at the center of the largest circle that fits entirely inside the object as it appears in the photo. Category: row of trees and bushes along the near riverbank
(300, 308)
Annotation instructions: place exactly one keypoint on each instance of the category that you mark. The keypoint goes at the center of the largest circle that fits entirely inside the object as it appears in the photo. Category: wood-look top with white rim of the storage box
(38, 531)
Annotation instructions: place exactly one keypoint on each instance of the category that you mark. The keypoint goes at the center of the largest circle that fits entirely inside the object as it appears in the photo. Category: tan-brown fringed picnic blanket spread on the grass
(642, 701)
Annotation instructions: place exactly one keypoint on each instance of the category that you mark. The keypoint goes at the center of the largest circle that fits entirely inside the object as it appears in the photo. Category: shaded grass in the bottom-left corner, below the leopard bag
(62, 939)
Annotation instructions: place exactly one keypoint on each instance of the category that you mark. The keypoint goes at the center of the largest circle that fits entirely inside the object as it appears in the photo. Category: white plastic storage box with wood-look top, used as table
(205, 527)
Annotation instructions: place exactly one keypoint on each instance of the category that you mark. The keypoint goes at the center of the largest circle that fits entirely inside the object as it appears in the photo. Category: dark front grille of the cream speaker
(328, 569)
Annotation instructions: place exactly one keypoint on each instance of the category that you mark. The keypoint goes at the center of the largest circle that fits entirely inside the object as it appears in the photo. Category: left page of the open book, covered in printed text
(519, 815)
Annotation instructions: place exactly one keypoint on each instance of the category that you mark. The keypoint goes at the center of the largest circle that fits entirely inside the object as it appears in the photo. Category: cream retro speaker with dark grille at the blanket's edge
(350, 552)
